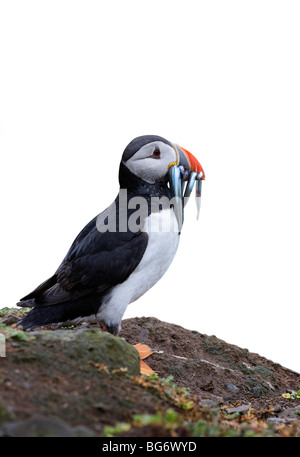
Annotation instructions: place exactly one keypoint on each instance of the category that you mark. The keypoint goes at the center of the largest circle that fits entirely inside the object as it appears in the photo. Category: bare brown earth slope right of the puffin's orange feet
(208, 366)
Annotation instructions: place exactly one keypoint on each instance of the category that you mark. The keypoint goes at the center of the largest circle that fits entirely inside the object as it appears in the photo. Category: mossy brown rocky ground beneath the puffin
(81, 381)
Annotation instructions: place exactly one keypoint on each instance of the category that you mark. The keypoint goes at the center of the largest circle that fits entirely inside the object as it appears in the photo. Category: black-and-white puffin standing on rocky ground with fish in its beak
(126, 249)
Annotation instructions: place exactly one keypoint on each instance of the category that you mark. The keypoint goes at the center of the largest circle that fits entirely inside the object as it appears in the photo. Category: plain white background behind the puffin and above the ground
(80, 79)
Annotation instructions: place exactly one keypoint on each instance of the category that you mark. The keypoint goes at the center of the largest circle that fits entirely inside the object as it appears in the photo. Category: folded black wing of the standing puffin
(95, 262)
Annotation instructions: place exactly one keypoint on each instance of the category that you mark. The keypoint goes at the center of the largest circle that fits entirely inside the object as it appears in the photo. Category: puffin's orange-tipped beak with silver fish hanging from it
(187, 169)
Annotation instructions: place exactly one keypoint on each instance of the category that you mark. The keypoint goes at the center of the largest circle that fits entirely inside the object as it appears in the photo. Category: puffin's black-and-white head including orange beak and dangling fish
(156, 160)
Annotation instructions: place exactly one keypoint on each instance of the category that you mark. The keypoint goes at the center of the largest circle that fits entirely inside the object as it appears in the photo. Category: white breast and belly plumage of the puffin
(162, 229)
